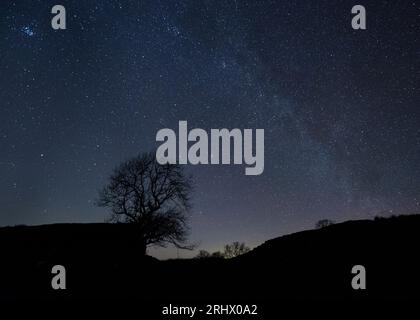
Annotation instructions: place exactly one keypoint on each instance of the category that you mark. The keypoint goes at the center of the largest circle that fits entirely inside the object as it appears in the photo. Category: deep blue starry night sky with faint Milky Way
(340, 108)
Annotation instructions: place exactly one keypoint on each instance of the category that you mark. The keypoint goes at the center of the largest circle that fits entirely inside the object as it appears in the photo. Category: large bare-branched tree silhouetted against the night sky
(154, 197)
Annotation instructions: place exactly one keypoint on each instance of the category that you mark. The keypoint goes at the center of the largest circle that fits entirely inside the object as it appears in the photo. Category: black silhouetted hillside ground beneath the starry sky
(103, 262)
